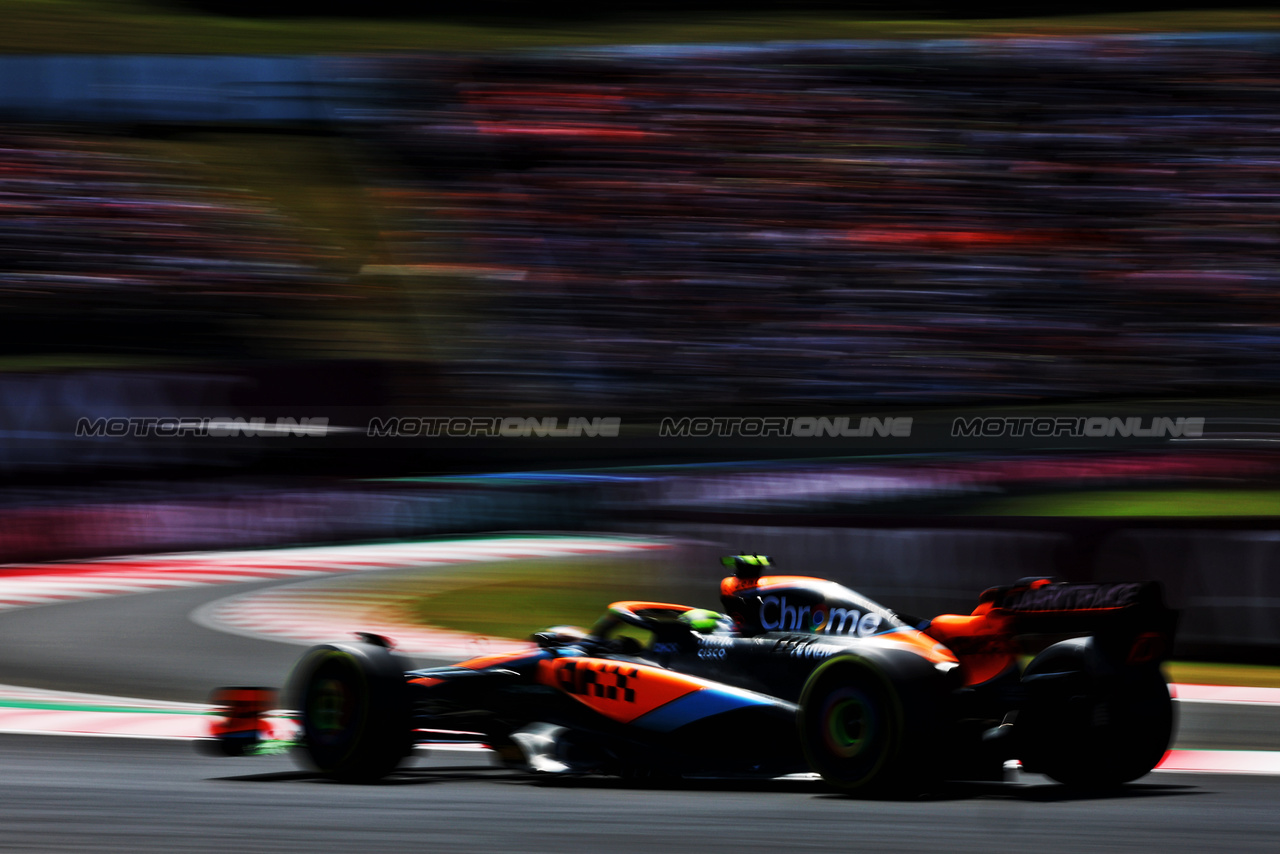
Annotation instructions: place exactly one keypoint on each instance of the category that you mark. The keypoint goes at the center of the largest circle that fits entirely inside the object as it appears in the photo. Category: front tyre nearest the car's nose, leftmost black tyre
(356, 719)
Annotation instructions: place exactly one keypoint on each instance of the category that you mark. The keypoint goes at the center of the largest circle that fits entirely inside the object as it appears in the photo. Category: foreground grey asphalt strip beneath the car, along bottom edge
(66, 794)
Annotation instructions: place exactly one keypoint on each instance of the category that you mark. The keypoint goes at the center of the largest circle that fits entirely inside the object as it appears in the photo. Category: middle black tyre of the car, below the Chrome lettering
(861, 730)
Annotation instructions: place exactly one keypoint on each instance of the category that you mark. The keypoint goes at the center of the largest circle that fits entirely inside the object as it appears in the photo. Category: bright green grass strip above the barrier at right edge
(1136, 503)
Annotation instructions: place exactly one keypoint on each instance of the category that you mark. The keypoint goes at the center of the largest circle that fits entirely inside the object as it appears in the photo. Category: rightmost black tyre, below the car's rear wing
(1091, 725)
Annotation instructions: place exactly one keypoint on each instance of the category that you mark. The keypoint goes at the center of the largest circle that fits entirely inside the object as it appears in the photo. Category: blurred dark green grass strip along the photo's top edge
(135, 26)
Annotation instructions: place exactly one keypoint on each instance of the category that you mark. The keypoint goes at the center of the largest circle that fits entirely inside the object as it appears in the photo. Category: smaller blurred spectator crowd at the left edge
(109, 248)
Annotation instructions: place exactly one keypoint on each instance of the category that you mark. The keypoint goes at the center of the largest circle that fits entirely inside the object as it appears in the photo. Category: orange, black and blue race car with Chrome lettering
(797, 675)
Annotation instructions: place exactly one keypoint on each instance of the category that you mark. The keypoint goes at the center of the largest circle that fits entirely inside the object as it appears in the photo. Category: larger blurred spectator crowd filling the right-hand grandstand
(972, 221)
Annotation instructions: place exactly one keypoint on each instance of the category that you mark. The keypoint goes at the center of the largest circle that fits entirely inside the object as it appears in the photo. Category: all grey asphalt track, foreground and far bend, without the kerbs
(93, 794)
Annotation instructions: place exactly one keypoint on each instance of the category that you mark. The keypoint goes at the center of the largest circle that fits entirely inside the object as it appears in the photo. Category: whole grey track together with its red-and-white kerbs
(125, 652)
